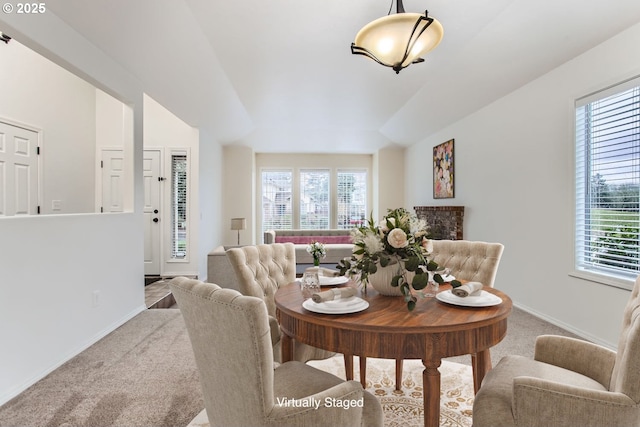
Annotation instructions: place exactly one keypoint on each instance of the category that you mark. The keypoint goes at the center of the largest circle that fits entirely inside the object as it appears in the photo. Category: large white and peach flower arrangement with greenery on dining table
(399, 239)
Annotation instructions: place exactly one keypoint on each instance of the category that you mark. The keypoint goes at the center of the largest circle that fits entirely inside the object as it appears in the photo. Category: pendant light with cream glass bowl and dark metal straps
(398, 40)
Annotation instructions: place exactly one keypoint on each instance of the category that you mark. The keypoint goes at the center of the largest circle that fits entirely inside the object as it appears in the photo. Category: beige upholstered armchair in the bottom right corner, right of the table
(569, 382)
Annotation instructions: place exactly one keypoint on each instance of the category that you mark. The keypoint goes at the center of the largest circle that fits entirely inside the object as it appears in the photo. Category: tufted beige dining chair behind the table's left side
(261, 270)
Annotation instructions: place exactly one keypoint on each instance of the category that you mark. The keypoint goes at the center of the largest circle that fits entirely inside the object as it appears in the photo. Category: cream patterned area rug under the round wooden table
(405, 408)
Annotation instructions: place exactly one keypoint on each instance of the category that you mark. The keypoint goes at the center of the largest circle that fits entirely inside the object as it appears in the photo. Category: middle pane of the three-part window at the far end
(314, 199)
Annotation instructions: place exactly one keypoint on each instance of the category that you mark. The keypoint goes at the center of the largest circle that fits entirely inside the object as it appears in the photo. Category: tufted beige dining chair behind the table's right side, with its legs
(472, 261)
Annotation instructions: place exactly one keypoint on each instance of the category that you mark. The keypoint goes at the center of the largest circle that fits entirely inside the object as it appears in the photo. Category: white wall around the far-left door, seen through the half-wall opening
(40, 94)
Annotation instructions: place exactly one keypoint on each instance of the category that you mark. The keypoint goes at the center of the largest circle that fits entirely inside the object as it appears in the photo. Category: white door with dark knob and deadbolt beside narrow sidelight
(152, 211)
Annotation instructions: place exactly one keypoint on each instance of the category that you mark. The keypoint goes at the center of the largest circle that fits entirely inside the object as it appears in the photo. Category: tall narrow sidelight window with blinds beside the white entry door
(178, 206)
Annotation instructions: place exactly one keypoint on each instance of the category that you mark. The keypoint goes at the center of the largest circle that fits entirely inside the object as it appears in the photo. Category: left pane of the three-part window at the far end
(276, 200)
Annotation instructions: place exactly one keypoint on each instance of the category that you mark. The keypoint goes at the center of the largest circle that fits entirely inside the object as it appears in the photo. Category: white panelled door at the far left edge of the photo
(18, 170)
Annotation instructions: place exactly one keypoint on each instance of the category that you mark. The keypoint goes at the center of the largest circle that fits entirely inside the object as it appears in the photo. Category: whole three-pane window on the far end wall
(313, 198)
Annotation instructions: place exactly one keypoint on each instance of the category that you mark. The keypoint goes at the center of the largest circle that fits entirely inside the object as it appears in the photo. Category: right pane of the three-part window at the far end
(352, 199)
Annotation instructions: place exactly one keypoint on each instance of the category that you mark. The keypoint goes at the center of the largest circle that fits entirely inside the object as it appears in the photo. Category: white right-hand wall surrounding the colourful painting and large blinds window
(514, 174)
